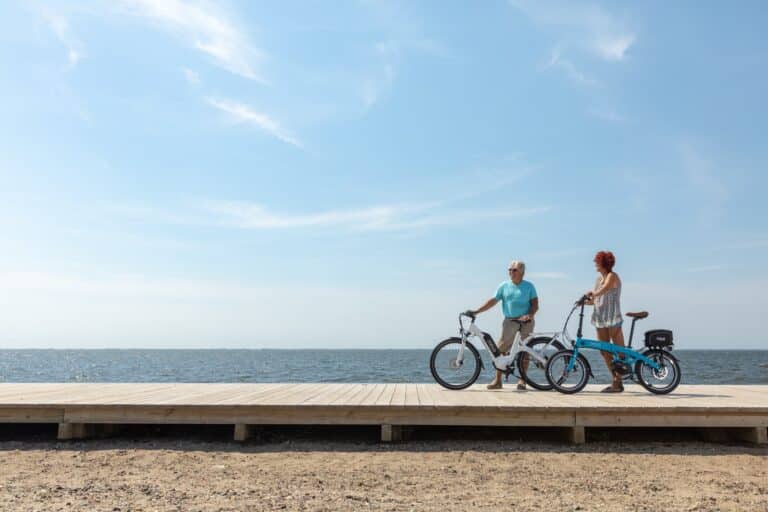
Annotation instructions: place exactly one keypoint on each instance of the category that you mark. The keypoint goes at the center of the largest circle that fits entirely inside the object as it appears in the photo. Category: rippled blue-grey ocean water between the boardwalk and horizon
(698, 366)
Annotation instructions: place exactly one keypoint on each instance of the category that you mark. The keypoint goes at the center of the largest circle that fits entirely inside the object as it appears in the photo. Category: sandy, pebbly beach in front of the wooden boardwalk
(322, 475)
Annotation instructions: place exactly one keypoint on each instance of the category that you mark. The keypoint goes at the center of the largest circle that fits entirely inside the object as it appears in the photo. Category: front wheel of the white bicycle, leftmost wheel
(453, 367)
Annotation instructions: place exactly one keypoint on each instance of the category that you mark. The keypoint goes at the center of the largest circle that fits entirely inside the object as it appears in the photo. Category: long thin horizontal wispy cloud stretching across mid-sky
(377, 218)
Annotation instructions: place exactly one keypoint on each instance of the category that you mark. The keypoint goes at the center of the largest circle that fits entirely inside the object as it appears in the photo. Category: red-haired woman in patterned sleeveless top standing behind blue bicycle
(606, 316)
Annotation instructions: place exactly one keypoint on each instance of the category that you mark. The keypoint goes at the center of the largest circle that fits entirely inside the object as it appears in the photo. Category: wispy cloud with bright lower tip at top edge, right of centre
(587, 26)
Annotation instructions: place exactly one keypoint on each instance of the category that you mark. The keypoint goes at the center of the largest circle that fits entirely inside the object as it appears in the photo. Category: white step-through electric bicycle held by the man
(456, 363)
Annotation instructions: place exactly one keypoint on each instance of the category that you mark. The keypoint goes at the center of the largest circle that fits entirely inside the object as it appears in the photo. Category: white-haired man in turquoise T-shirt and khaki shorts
(519, 302)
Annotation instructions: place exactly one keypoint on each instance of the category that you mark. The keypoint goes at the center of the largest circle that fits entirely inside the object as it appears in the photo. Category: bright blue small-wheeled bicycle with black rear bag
(655, 368)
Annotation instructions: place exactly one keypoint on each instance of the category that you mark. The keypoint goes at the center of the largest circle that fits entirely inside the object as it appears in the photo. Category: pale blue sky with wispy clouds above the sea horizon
(352, 174)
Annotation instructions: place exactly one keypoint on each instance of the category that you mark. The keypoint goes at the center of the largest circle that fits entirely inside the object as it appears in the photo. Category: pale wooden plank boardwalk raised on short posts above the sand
(79, 408)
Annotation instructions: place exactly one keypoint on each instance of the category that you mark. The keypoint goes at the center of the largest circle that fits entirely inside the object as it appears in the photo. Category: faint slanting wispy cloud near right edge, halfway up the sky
(709, 192)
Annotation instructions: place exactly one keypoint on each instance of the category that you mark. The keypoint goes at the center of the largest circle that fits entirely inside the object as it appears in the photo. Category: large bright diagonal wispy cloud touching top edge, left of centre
(206, 29)
